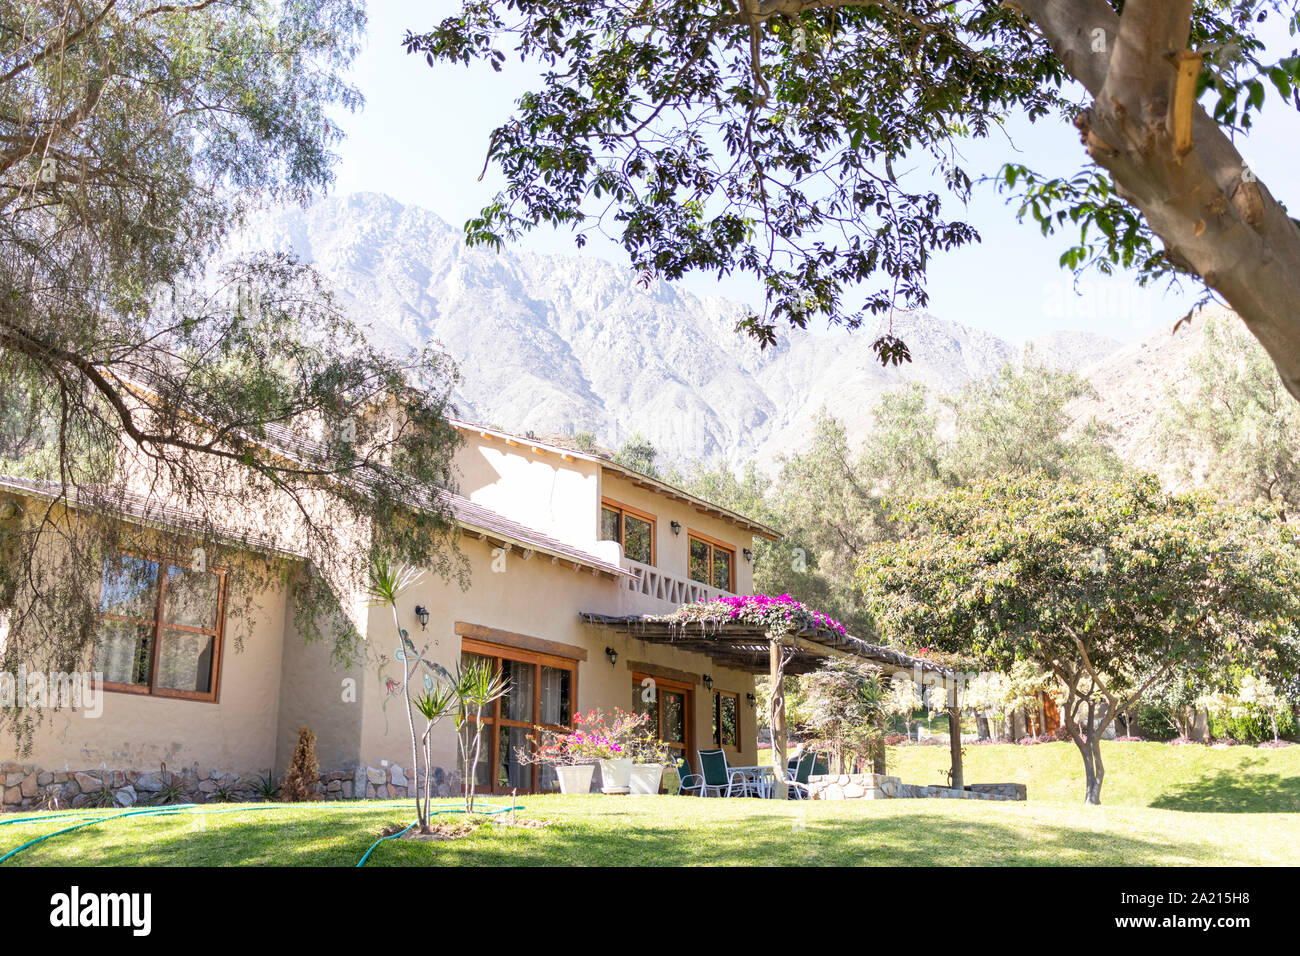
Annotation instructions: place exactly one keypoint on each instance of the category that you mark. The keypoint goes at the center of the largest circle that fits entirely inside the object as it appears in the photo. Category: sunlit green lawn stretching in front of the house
(1159, 814)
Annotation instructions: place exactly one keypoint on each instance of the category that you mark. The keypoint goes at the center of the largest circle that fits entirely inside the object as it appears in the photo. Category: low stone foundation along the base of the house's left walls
(27, 788)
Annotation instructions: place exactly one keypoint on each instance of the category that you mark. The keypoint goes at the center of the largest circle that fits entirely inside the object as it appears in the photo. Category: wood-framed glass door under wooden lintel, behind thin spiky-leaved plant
(541, 694)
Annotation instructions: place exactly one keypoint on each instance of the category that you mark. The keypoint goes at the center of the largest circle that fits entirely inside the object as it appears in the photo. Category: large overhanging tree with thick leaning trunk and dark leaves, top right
(774, 137)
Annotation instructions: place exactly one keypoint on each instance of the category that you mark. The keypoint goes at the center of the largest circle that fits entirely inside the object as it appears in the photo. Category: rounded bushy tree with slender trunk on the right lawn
(1111, 587)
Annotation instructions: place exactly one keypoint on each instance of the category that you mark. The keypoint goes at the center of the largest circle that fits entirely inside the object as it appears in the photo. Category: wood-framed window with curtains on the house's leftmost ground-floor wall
(159, 629)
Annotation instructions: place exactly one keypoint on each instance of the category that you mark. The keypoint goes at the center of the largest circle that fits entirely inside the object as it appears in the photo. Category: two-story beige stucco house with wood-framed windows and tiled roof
(549, 535)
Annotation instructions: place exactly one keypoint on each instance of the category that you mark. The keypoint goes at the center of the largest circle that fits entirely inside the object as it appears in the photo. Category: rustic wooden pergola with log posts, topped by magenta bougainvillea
(752, 648)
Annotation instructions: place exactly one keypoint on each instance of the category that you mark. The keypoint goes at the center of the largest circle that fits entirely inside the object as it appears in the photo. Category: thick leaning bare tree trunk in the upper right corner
(1194, 189)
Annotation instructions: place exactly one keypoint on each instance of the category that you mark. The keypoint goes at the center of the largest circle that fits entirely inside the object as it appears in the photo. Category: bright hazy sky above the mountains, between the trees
(423, 135)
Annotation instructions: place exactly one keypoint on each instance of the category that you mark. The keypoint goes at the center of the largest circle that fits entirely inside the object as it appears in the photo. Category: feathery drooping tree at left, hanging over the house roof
(224, 399)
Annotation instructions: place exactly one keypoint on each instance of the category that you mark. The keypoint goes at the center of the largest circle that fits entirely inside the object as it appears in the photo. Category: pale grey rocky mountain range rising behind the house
(561, 345)
